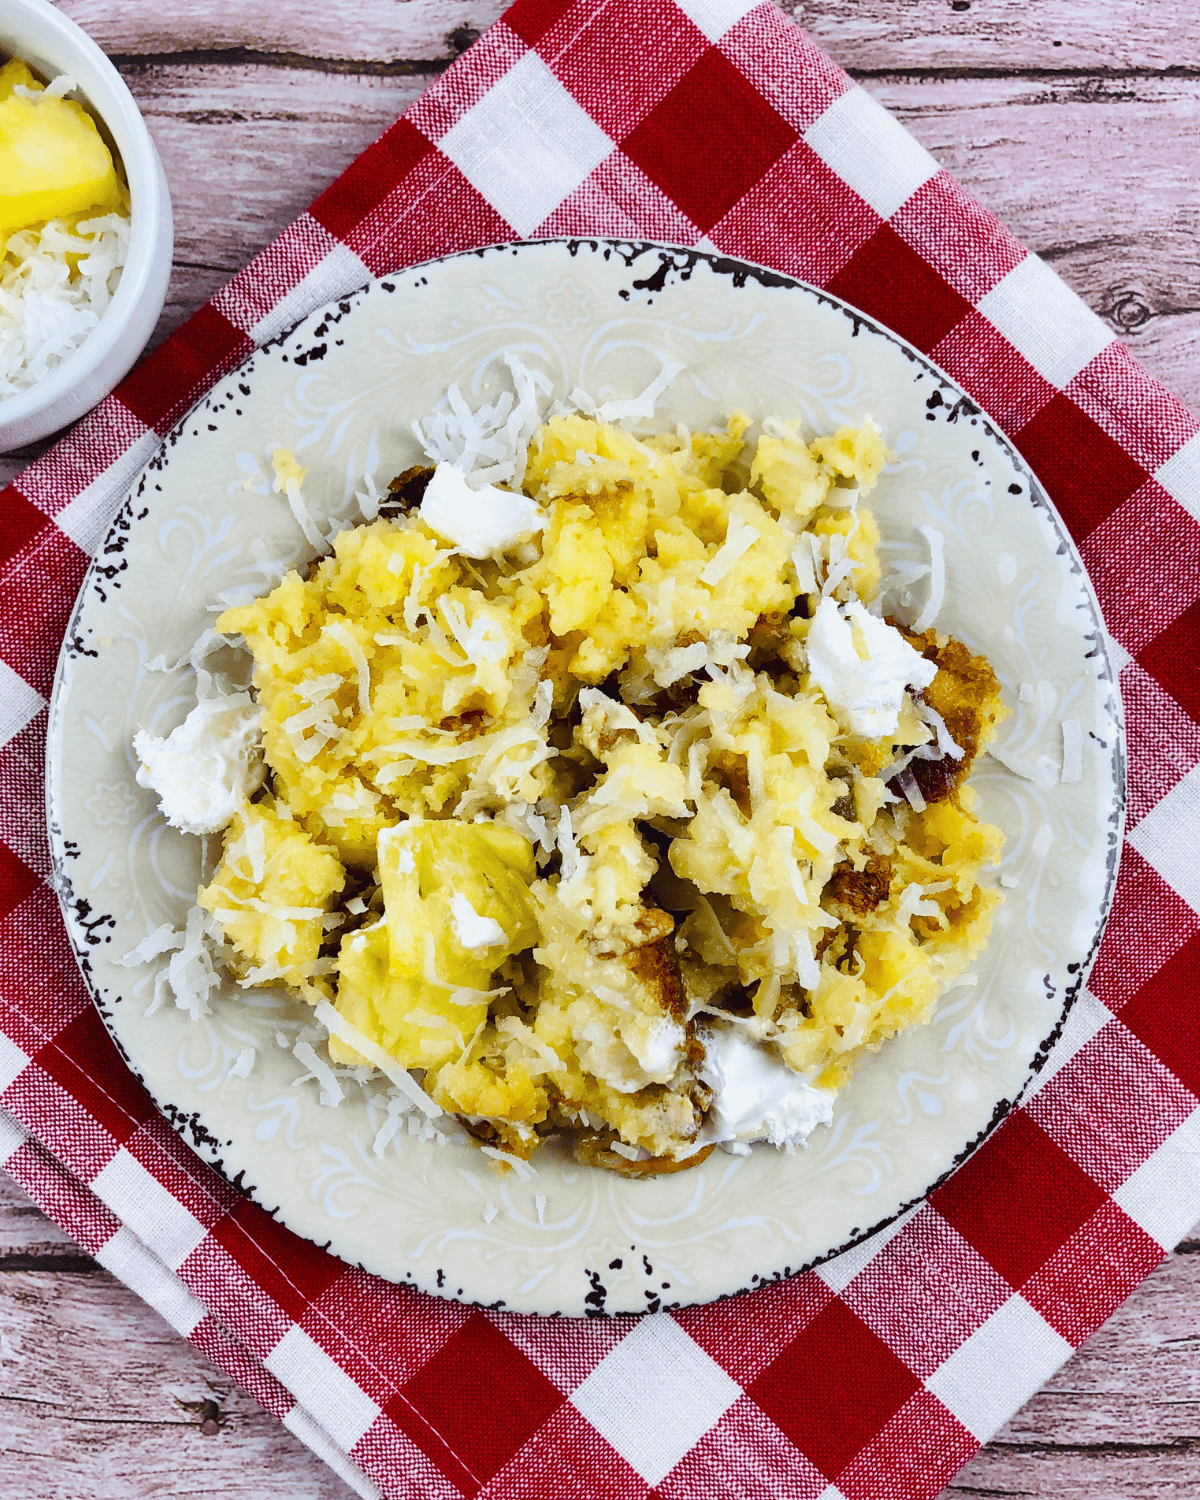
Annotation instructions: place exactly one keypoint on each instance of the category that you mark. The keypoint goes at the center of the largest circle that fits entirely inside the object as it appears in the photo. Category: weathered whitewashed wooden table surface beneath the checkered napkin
(1079, 124)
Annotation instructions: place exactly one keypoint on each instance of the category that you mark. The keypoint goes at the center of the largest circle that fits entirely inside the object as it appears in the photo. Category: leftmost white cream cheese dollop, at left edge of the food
(206, 769)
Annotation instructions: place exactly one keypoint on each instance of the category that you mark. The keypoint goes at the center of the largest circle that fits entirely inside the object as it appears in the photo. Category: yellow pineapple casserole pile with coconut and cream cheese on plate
(584, 788)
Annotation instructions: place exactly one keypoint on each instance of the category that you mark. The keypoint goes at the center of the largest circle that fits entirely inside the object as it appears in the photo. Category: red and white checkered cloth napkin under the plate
(713, 124)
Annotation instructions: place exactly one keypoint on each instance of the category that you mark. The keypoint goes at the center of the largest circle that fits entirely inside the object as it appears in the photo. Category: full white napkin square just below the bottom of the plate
(656, 1396)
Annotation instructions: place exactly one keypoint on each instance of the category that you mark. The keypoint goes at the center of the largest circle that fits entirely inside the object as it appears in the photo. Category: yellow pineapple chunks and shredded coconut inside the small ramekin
(64, 226)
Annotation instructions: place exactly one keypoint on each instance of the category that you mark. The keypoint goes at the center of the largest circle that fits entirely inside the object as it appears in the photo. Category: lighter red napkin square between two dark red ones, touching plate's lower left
(379, 1333)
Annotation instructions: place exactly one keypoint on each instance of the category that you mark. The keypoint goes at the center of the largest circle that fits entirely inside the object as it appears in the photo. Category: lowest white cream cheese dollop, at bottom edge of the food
(755, 1094)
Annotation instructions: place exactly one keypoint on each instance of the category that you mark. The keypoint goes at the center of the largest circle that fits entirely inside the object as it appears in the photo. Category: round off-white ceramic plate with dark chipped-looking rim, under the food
(341, 392)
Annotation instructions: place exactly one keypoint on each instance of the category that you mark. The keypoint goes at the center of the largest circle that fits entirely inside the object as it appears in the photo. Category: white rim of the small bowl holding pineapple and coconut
(119, 112)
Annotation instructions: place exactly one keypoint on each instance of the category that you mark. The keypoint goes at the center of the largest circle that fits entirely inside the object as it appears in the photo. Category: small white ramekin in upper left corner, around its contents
(52, 46)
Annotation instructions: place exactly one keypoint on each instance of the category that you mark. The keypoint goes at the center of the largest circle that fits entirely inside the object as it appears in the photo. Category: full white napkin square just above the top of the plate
(527, 145)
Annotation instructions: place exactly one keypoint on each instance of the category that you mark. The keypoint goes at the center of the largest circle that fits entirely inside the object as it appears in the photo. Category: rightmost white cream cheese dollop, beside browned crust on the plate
(863, 667)
